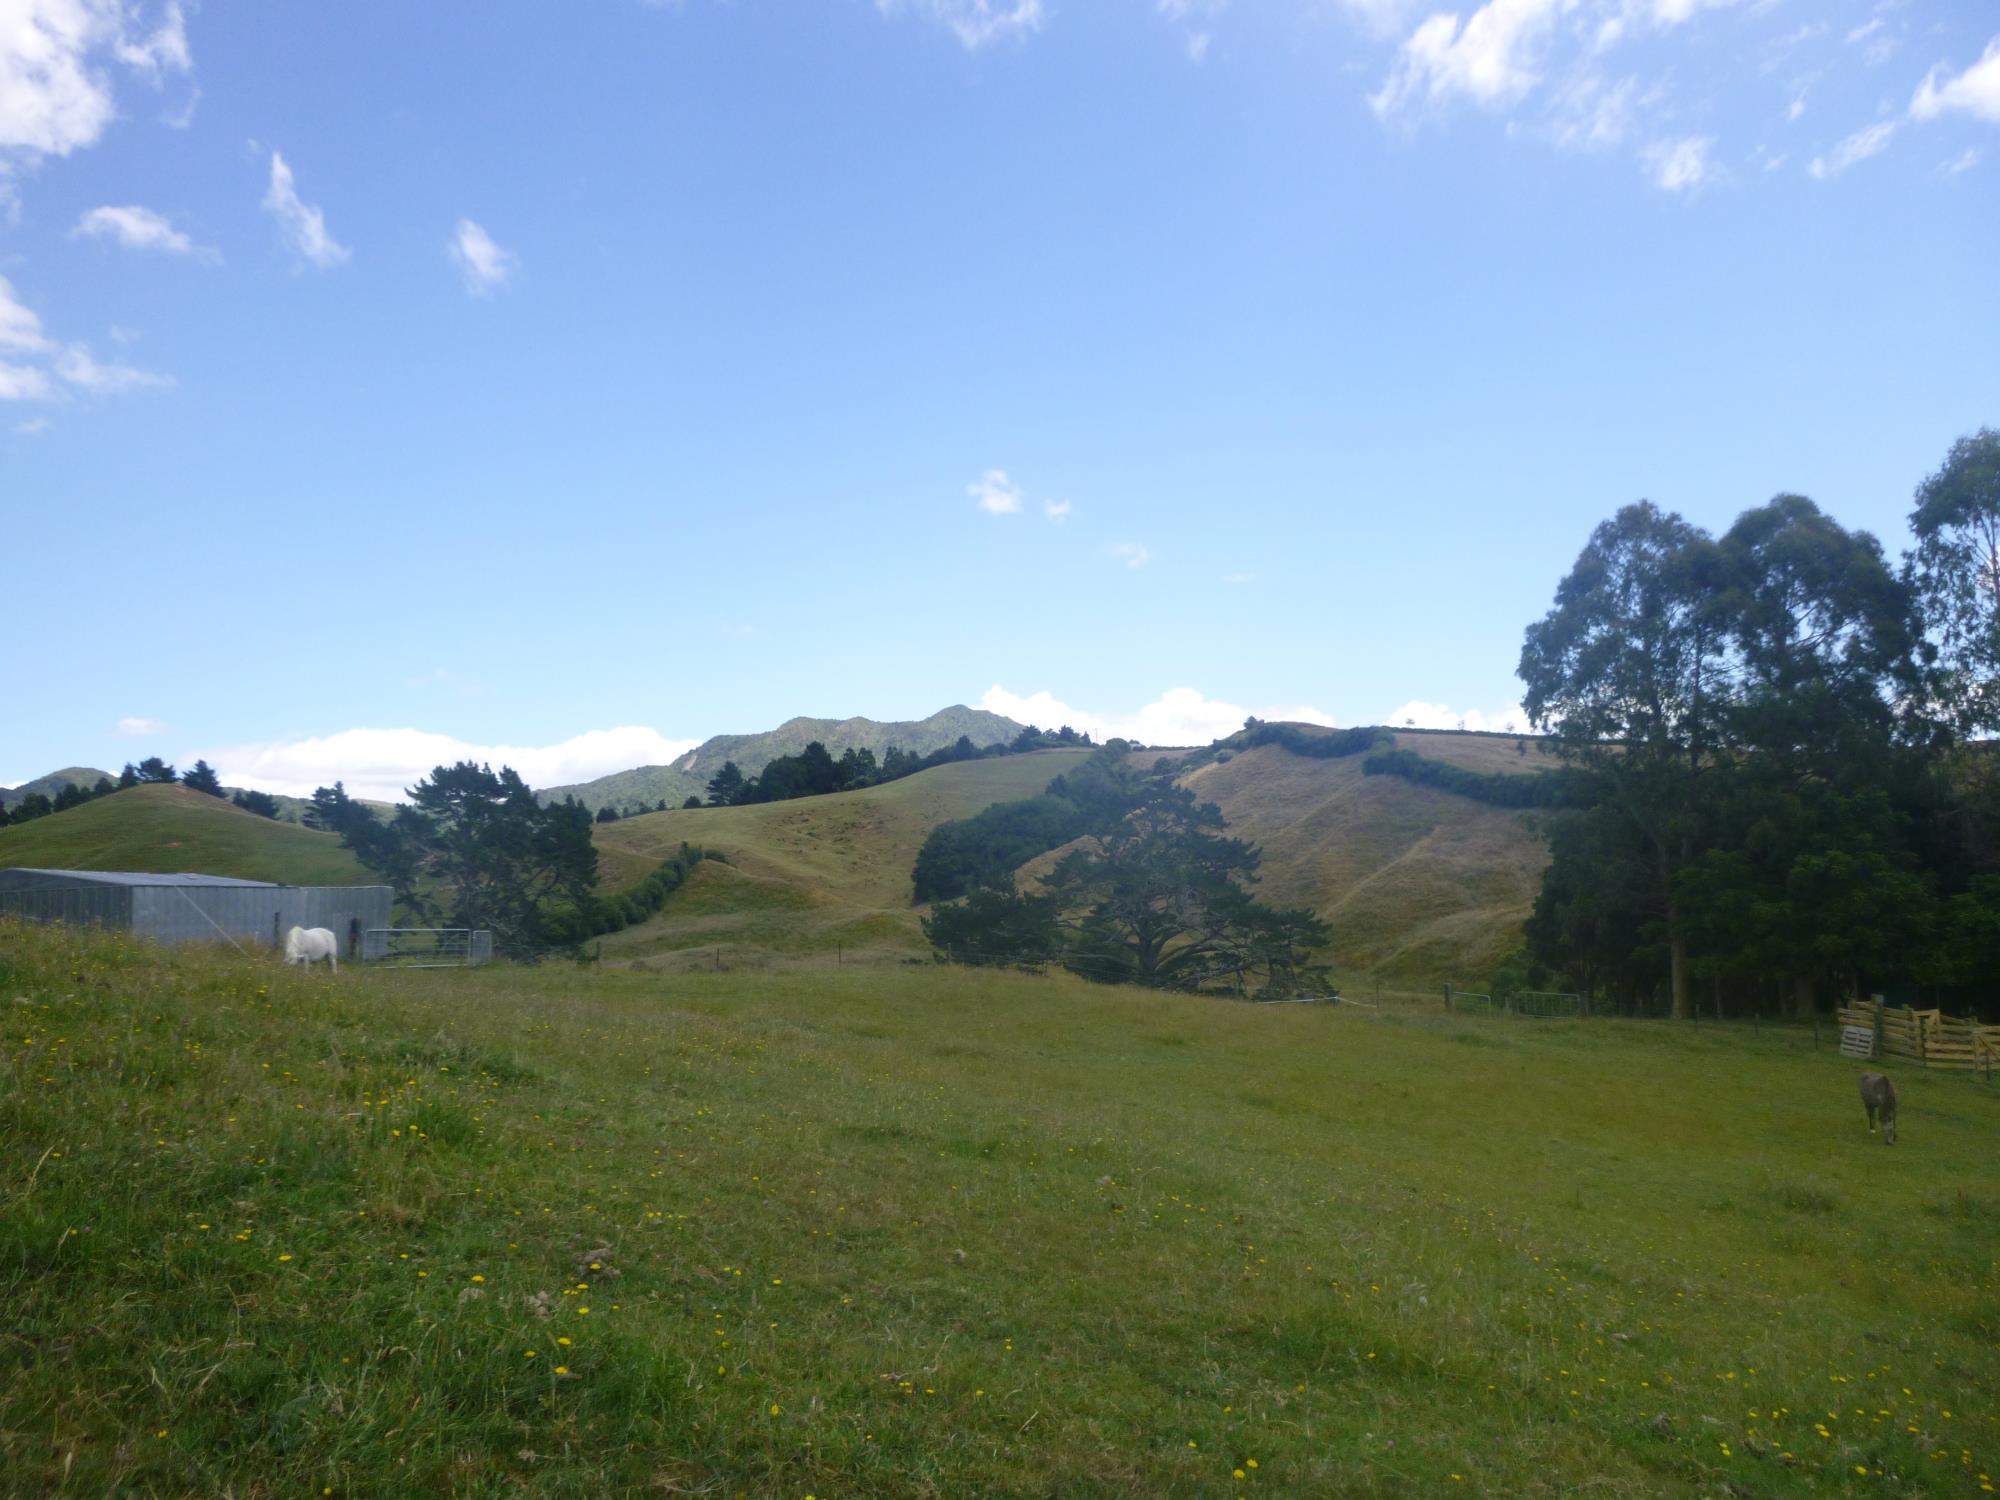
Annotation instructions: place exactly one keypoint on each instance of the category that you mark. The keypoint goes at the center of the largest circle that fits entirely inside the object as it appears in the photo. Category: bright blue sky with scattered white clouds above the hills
(575, 383)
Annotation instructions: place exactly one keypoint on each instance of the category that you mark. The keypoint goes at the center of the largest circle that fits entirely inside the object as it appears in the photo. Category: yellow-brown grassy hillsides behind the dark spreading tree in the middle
(1419, 885)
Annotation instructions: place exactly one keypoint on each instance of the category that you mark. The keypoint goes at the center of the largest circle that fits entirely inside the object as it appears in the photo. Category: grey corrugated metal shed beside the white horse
(195, 907)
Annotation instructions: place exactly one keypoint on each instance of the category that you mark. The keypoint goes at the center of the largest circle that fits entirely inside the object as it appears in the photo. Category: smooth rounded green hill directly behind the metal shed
(167, 829)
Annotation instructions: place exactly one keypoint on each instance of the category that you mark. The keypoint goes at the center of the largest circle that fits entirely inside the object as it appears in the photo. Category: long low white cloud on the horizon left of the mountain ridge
(381, 765)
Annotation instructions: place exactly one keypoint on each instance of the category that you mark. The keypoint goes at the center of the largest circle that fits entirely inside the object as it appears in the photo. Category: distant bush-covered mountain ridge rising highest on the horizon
(689, 777)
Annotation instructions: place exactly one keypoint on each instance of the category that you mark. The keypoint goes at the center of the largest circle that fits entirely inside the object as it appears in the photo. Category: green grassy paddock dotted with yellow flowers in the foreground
(935, 1233)
